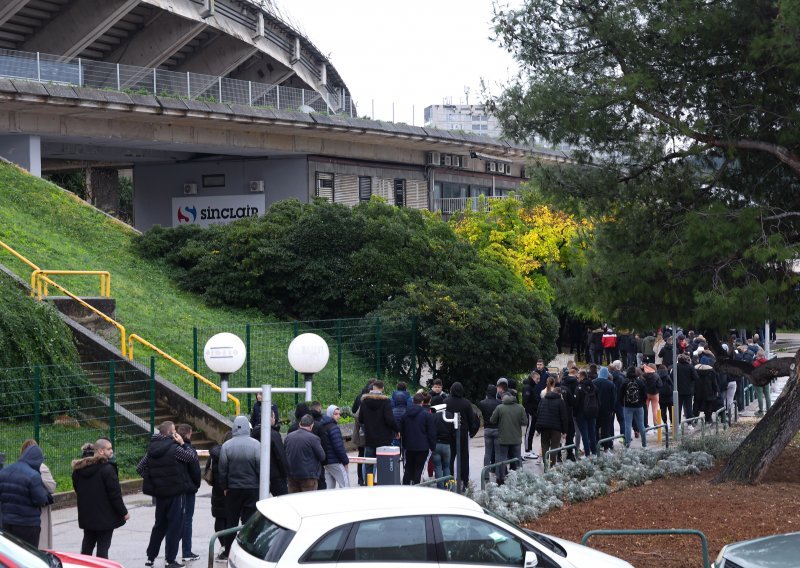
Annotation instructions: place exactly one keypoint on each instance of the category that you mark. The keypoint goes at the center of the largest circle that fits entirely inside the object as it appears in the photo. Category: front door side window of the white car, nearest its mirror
(473, 541)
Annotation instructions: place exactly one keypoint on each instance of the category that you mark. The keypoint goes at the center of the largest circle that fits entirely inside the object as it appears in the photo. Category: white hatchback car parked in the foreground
(394, 526)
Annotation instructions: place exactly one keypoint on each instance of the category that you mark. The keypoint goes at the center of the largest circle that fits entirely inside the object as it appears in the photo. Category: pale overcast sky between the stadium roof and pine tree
(412, 53)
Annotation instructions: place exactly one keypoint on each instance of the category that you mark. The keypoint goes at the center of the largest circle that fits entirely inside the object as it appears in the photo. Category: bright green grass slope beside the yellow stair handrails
(56, 230)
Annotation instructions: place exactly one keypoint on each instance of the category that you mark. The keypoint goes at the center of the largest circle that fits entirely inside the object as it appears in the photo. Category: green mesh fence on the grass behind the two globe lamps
(360, 348)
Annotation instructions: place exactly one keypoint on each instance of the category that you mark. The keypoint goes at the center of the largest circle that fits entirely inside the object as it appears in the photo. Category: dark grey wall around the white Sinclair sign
(156, 185)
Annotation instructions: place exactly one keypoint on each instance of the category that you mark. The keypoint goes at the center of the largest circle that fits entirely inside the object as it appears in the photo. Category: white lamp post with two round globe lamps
(308, 354)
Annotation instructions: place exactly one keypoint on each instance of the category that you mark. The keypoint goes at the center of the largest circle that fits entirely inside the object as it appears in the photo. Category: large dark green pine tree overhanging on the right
(684, 120)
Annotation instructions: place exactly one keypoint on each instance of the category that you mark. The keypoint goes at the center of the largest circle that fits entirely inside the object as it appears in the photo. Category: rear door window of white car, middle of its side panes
(401, 539)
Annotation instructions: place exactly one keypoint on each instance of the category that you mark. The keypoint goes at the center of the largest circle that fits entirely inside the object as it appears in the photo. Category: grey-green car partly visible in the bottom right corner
(778, 551)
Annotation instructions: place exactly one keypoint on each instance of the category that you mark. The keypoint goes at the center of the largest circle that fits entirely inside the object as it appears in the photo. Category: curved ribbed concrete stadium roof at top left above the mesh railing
(241, 39)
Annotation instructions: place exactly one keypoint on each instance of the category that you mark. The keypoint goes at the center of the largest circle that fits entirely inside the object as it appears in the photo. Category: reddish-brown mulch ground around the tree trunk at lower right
(724, 513)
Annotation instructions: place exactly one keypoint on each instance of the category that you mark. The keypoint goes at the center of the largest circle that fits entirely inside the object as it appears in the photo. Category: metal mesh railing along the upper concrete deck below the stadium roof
(45, 68)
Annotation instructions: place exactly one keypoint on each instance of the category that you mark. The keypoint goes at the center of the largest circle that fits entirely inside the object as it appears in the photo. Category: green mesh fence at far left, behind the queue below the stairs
(63, 407)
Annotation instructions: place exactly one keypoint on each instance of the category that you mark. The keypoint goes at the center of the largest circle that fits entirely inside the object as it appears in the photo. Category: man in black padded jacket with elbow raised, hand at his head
(165, 476)
